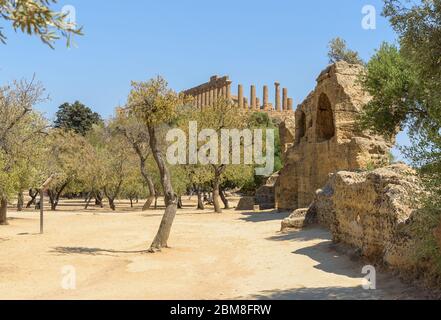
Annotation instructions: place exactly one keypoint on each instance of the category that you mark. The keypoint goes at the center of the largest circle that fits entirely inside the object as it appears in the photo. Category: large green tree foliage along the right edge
(405, 83)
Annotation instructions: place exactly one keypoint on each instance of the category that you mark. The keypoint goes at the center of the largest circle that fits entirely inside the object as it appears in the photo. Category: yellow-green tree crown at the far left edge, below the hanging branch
(22, 136)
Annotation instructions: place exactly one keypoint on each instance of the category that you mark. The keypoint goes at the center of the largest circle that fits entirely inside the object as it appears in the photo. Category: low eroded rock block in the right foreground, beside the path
(371, 211)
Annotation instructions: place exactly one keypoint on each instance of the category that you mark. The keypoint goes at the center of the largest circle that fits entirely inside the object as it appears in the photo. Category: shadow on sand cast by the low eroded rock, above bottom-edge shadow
(331, 261)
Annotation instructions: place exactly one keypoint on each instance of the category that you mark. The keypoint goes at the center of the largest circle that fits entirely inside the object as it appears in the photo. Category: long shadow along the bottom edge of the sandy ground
(334, 293)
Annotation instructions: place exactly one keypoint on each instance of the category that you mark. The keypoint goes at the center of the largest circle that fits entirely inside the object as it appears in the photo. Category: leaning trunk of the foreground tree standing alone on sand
(161, 239)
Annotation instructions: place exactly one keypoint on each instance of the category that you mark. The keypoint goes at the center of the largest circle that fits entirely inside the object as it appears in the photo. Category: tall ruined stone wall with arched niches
(327, 139)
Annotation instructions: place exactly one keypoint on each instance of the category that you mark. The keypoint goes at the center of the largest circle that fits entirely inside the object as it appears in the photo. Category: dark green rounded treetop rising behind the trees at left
(76, 117)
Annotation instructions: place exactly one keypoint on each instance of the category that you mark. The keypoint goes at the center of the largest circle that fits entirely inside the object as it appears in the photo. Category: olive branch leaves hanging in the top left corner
(35, 17)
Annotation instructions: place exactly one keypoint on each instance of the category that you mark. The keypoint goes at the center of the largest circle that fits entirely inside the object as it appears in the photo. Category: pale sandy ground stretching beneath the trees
(235, 255)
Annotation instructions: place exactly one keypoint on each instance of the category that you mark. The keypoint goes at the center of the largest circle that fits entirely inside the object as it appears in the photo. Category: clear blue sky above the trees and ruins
(252, 41)
